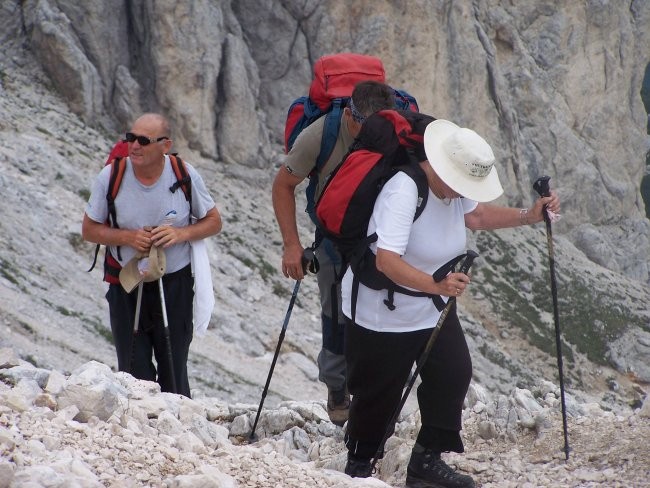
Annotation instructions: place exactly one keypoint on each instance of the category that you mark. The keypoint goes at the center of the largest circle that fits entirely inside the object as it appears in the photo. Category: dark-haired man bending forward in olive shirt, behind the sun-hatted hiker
(367, 98)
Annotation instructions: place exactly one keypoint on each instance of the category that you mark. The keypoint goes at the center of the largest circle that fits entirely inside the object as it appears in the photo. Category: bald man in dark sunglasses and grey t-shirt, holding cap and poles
(147, 215)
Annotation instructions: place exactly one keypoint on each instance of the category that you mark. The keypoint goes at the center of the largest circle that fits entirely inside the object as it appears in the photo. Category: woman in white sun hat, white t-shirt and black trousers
(382, 346)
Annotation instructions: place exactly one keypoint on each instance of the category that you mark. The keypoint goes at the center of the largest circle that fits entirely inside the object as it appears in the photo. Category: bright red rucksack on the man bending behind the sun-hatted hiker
(334, 79)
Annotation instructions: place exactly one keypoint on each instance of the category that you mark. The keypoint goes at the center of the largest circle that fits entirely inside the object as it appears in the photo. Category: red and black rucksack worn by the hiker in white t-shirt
(390, 141)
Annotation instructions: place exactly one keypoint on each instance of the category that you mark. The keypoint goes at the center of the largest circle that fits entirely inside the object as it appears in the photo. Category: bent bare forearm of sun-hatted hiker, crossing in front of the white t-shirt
(392, 265)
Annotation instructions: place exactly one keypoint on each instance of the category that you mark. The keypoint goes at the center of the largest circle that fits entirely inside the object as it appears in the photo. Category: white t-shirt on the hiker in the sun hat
(437, 236)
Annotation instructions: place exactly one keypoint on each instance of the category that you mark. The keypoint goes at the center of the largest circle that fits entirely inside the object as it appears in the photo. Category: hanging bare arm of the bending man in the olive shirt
(284, 205)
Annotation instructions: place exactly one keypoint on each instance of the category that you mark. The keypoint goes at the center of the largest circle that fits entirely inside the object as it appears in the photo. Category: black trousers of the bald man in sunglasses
(135, 352)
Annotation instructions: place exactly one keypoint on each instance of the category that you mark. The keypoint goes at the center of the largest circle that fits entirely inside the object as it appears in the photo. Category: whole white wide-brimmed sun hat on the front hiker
(463, 160)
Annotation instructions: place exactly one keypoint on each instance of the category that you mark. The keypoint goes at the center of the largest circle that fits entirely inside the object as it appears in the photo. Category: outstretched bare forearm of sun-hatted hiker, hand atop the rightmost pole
(487, 217)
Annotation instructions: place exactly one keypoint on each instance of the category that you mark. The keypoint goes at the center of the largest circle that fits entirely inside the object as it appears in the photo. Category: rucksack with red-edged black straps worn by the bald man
(117, 160)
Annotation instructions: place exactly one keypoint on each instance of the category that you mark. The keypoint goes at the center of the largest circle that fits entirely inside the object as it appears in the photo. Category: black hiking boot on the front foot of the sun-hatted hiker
(427, 470)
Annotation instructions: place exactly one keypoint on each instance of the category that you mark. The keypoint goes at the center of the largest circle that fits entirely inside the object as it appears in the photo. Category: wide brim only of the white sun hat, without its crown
(483, 189)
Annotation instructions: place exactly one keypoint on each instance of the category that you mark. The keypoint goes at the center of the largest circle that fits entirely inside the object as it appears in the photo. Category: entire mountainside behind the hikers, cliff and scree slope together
(553, 88)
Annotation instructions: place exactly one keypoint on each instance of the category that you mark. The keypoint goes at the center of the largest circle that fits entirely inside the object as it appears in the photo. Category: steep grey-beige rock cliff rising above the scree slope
(554, 88)
